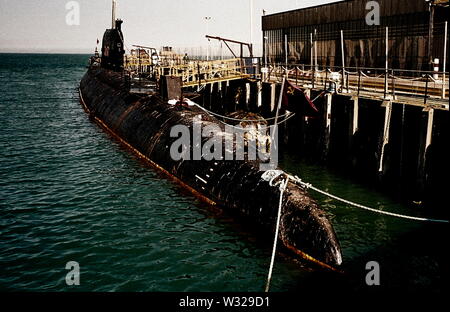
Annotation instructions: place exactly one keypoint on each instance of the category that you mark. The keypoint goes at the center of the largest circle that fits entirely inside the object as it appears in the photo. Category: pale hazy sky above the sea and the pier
(40, 25)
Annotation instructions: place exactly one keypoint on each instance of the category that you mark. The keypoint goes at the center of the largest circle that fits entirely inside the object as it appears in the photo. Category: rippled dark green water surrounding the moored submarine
(68, 192)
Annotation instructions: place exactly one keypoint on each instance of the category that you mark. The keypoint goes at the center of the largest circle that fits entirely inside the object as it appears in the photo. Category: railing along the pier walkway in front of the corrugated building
(374, 82)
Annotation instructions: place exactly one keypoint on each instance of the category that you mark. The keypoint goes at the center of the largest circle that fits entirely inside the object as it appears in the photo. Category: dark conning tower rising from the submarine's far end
(113, 47)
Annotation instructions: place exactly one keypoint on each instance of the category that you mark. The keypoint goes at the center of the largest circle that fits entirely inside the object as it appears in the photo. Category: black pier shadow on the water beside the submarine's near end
(411, 254)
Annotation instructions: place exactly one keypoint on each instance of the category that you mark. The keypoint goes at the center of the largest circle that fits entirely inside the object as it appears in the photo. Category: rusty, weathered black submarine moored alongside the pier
(144, 124)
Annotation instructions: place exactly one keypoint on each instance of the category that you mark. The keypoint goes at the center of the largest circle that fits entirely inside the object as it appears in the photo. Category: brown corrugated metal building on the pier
(364, 45)
